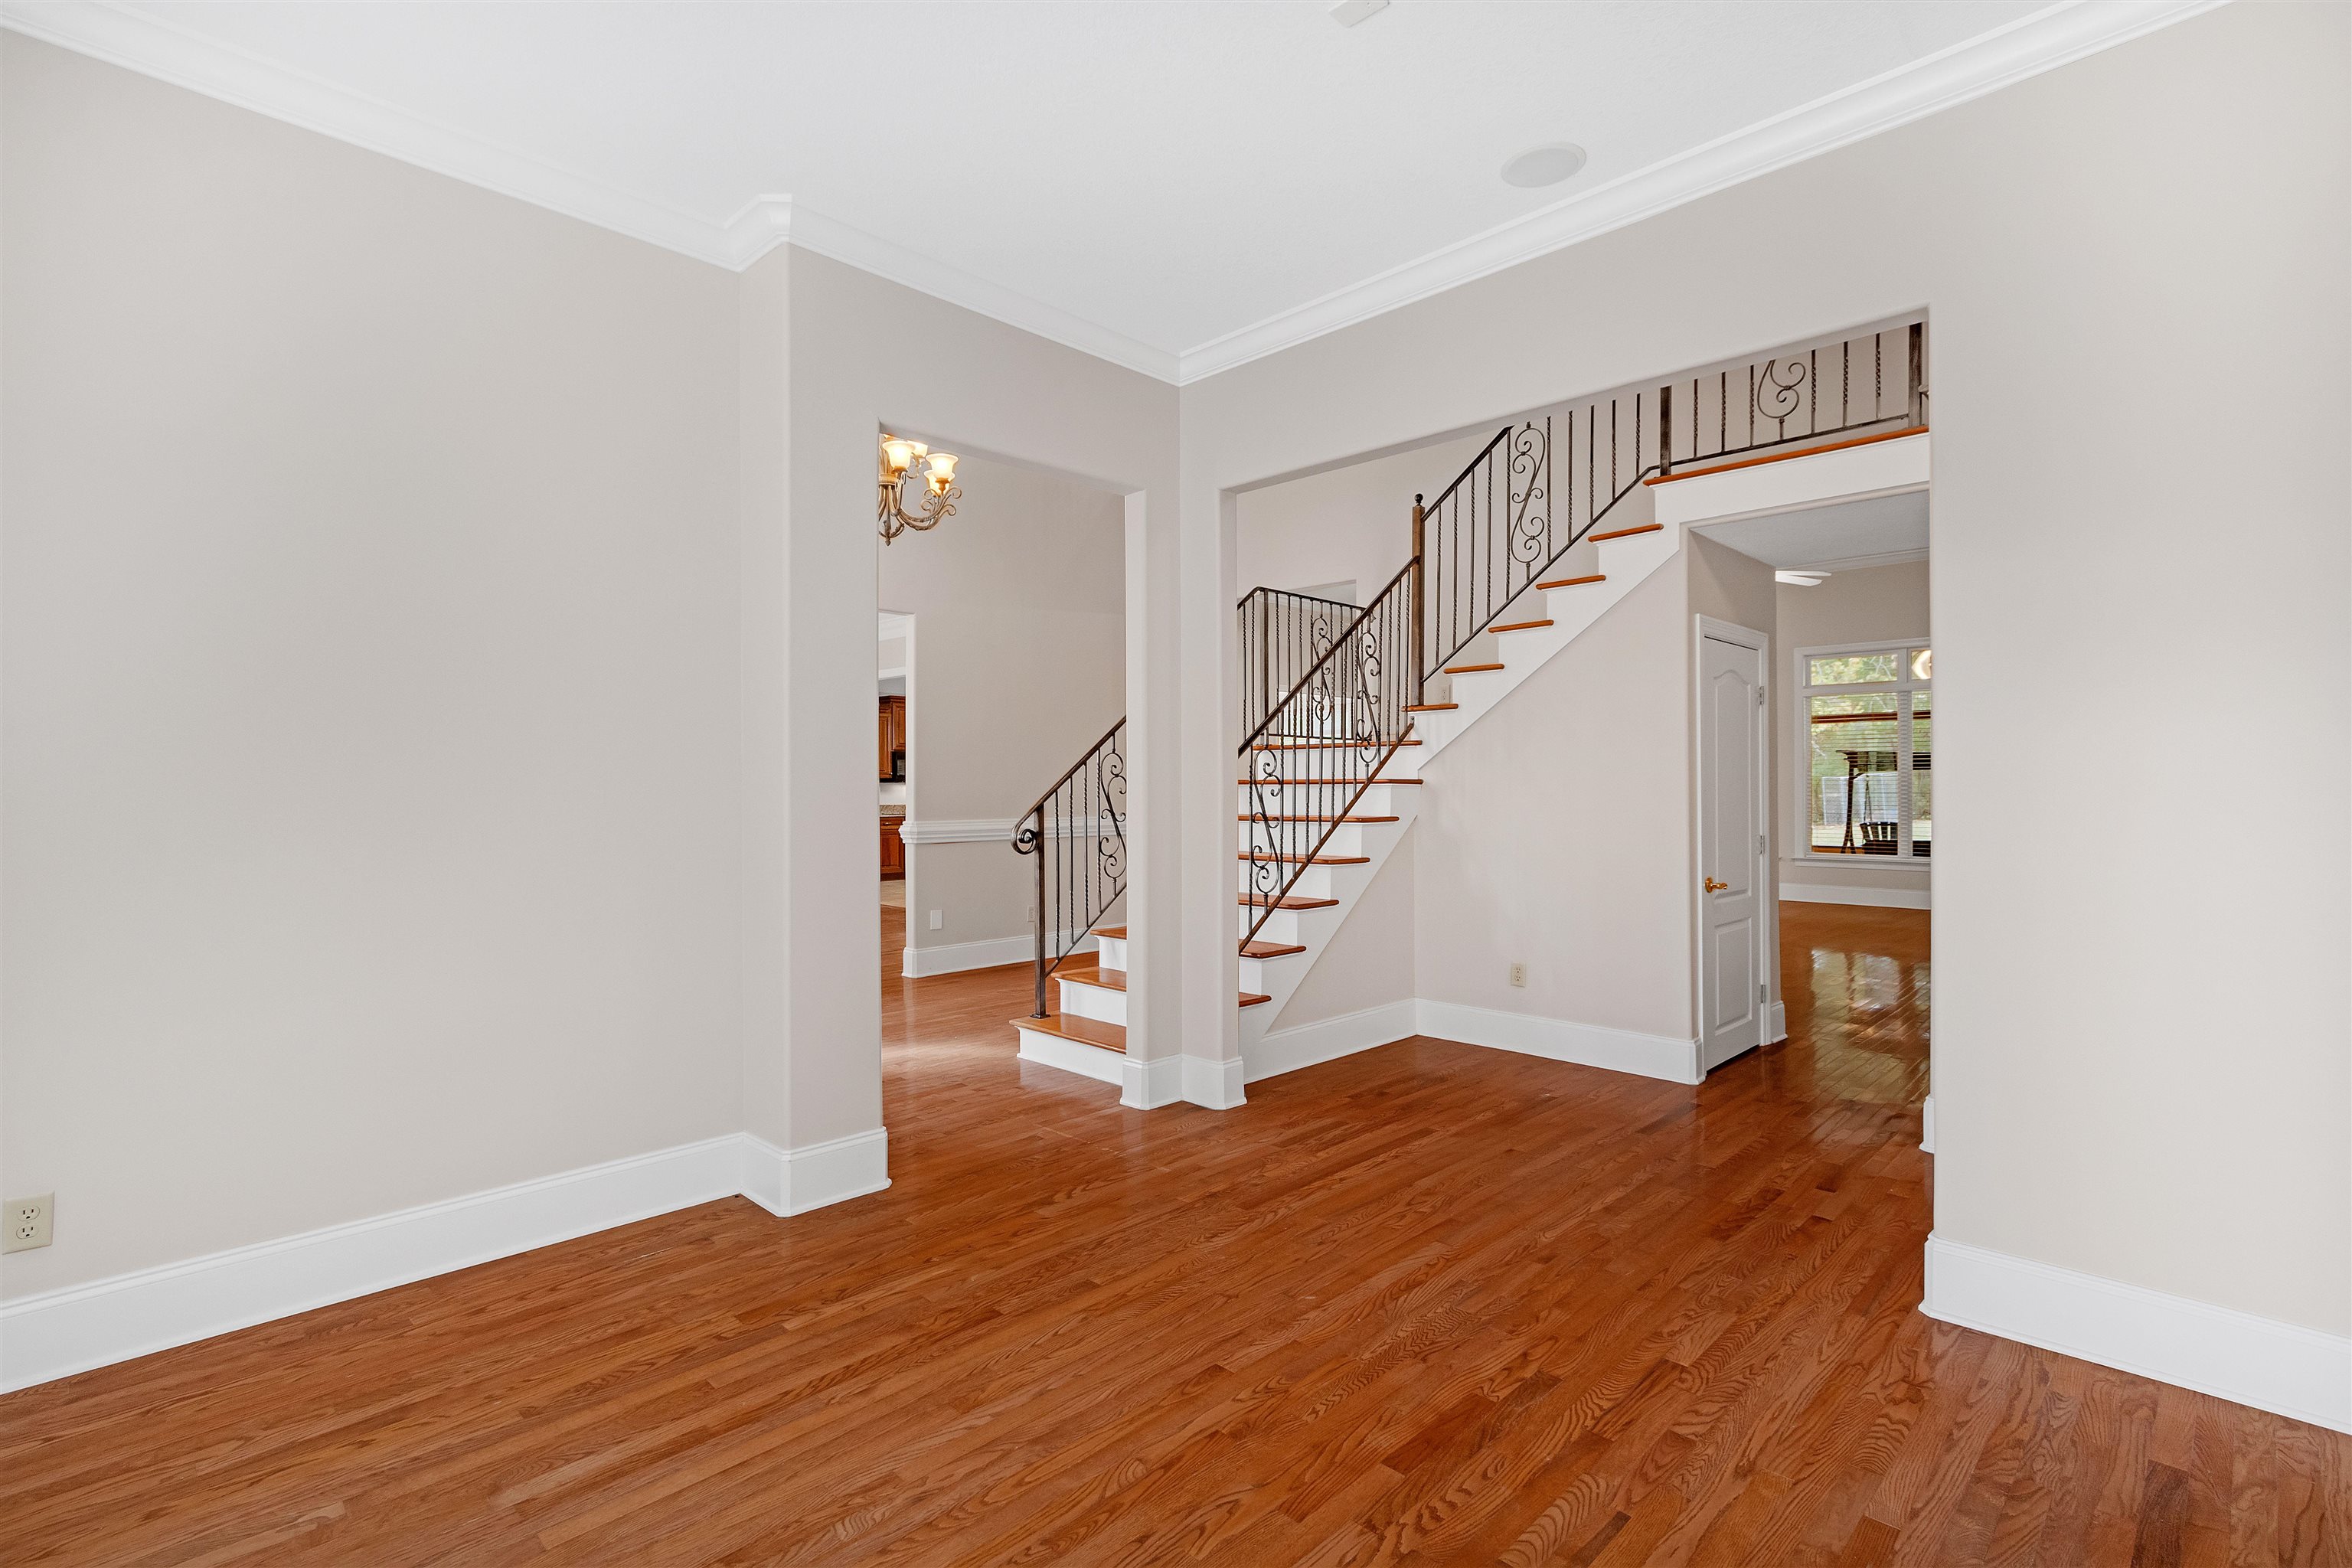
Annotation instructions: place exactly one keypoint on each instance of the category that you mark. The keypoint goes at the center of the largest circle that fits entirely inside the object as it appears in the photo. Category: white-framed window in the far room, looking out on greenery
(1866, 746)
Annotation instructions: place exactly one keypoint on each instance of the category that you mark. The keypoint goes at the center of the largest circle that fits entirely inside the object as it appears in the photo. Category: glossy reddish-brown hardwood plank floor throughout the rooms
(1422, 1306)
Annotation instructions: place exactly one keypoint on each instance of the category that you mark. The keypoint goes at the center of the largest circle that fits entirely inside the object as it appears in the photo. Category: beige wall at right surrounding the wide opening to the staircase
(2123, 1087)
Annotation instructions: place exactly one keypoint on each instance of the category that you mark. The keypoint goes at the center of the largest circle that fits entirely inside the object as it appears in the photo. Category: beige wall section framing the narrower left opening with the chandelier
(810, 601)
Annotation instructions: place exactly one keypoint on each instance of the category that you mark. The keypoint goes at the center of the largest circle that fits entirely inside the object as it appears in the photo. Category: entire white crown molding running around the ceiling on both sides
(154, 46)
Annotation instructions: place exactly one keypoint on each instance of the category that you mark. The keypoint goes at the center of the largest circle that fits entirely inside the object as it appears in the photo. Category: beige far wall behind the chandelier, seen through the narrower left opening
(1020, 666)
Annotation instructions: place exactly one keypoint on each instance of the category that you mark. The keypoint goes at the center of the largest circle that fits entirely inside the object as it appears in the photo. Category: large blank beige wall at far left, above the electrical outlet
(370, 681)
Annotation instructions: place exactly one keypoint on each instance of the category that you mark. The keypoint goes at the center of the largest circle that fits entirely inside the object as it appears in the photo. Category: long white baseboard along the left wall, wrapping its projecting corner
(133, 1315)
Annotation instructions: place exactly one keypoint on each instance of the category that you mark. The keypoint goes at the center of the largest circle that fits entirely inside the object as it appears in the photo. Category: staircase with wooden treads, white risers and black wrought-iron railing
(1349, 709)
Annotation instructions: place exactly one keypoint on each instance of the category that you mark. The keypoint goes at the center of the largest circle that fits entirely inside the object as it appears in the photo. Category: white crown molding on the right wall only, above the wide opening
(1953, 76)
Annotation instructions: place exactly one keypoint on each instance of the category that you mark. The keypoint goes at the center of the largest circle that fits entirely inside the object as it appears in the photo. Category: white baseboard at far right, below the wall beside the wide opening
(2214, 1351)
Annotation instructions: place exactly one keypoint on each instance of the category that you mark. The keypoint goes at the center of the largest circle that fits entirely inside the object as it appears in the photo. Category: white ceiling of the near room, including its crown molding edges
(1172, 185)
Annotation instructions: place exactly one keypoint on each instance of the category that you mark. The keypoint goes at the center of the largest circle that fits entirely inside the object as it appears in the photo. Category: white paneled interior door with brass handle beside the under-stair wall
(1730, 850)
